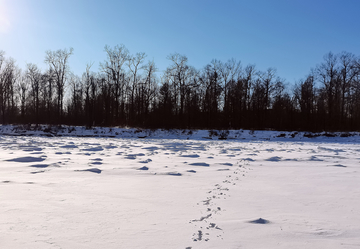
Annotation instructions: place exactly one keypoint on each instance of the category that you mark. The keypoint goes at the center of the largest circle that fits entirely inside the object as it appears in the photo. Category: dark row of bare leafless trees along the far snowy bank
(223, 95)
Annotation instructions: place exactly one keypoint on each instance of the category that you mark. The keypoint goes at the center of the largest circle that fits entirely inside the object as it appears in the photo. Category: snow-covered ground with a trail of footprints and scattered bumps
(124, 188)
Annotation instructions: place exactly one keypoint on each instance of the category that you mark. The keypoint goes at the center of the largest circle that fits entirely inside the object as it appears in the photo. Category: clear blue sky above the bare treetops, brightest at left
(290, 36)
